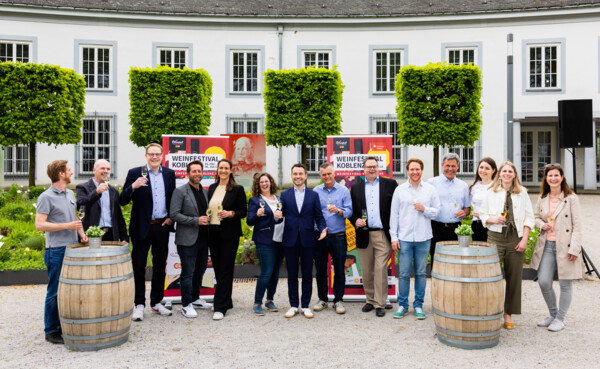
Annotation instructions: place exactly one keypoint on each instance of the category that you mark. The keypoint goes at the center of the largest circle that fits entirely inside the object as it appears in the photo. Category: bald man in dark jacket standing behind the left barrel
(101, 203)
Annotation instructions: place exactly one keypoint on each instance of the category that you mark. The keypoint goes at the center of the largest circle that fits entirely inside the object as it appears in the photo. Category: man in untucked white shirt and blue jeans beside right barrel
(413, 206)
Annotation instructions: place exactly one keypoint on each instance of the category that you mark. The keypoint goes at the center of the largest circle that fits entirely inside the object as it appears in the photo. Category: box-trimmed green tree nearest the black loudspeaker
(439, 105)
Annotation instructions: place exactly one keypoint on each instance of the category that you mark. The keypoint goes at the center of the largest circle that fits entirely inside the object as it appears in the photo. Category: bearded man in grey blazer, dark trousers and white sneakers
(188, 210)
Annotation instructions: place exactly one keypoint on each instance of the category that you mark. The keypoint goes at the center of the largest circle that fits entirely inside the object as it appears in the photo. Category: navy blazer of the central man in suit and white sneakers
(302, 223)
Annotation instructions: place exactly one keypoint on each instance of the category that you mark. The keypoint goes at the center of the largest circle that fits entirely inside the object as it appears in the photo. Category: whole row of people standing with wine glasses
(307, 225)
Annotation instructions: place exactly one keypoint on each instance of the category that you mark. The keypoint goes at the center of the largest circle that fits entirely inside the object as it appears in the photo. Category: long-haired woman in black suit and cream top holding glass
(227, 202)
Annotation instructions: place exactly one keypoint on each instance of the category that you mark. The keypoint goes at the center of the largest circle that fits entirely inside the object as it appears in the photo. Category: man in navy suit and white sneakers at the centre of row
(302, 210)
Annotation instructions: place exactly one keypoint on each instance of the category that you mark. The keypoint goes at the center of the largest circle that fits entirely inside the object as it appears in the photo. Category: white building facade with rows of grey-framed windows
(556, 53)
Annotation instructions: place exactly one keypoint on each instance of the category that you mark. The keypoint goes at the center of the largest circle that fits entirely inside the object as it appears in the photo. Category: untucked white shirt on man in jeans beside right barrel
(408, 224)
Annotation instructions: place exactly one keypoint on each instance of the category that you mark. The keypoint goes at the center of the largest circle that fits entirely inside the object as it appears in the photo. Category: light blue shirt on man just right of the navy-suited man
(339, 196)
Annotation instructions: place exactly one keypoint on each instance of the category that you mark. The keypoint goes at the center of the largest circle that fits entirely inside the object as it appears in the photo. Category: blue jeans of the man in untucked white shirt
(418, 252)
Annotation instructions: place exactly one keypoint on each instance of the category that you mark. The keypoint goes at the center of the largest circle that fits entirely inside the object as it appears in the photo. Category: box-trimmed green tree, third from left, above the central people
(303, 106)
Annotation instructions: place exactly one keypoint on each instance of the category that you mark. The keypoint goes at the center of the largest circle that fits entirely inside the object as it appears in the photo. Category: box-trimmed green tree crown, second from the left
(168, 100)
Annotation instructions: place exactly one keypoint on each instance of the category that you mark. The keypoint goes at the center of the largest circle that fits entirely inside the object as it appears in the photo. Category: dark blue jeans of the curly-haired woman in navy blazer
(270, 257)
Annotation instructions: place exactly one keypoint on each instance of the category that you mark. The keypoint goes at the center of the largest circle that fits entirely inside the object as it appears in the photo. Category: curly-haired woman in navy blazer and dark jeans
(264, 214)
